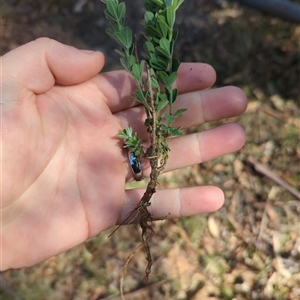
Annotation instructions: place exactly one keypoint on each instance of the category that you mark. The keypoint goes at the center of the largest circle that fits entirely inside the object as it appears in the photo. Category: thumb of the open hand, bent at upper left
(40, 64)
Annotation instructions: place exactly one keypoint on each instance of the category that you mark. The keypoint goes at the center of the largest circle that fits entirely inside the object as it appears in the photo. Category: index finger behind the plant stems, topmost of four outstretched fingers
(118, 86)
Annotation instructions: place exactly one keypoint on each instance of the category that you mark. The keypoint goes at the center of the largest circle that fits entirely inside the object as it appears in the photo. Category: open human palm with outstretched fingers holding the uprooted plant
(63, 169)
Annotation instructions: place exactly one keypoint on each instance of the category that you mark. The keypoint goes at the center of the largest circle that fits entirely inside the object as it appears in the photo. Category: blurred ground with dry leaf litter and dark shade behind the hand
(249, 249)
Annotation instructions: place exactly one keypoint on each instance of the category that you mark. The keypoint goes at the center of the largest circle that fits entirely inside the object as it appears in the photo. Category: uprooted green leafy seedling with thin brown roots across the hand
(154, 76)
